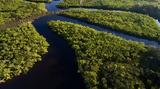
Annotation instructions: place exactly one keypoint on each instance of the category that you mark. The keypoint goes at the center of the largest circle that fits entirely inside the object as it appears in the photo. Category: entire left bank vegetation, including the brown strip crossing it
(20, 44)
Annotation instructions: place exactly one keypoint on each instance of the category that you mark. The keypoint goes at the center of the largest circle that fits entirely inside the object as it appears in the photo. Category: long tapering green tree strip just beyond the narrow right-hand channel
(132, 23)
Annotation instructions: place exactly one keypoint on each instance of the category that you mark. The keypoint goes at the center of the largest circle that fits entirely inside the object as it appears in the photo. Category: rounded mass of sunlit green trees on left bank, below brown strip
(20, 48)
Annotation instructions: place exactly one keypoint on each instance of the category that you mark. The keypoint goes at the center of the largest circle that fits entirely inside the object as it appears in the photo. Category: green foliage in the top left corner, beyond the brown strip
(19, 9)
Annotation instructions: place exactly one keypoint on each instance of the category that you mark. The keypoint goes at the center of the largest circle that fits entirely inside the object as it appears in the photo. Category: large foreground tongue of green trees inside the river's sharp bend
(110, 62)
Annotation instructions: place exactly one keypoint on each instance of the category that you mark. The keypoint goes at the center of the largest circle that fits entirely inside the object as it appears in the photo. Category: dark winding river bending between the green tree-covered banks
(58, 69)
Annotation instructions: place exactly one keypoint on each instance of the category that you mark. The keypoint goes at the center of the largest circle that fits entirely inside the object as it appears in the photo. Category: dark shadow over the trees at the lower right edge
(150, 64)
